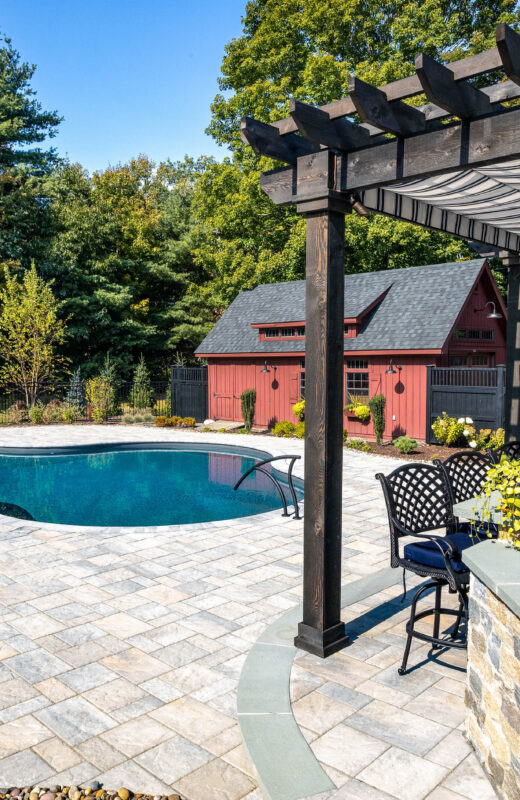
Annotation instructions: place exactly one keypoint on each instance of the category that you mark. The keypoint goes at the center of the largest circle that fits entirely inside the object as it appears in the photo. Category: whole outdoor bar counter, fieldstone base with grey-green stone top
(493, 683)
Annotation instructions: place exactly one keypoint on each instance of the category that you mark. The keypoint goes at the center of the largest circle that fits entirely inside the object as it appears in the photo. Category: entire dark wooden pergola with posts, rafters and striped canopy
(452, 165)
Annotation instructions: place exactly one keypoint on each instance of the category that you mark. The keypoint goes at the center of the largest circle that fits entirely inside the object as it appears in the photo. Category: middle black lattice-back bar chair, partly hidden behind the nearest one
(465, 473)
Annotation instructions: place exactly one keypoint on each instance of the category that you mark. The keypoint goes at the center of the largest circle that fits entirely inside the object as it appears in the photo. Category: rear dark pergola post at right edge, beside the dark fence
(512, 398)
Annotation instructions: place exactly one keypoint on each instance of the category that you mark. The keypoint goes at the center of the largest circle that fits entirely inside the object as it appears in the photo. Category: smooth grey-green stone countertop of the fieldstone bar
(497, 565)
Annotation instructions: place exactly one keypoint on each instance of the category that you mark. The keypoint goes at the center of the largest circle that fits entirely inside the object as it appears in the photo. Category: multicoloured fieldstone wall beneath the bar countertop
(493, 689)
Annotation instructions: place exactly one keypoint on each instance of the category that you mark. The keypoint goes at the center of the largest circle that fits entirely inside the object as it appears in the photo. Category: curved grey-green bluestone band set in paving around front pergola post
(283, 762)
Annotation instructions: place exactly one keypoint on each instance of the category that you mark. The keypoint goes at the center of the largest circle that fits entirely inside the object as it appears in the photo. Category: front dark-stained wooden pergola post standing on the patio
(321, 631)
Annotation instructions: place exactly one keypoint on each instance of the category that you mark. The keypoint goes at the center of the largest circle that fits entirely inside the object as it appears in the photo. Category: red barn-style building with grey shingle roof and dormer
(436, 314)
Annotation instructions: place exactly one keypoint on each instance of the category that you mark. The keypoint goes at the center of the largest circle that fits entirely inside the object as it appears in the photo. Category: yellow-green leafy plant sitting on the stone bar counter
(504, 478)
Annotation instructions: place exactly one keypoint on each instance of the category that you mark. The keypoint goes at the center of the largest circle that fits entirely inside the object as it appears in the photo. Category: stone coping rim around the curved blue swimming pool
(107, 447)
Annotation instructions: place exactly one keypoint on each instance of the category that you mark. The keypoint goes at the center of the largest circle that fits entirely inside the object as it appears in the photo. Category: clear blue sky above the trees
(128, 76)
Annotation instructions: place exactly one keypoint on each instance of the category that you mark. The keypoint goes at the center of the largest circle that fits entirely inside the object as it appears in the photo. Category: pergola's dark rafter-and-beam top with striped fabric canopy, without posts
(452, 165)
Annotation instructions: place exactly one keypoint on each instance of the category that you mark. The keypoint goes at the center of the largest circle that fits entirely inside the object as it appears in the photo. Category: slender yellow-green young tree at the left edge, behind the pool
(30, 334)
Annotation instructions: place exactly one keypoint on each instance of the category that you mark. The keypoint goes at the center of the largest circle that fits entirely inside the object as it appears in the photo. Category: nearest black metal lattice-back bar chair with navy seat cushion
(419, 502)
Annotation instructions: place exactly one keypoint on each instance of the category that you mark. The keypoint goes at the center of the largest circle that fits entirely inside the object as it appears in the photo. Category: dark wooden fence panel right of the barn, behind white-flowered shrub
(465, 392)
